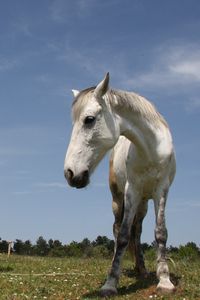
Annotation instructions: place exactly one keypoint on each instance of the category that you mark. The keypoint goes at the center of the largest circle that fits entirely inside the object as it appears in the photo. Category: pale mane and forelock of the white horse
(121, 100)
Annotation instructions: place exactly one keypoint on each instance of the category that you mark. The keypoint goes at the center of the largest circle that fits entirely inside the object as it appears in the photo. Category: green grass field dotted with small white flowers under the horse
(74, 278)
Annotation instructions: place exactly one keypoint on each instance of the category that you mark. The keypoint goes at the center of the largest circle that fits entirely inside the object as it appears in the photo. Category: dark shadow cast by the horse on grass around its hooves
(138, 285)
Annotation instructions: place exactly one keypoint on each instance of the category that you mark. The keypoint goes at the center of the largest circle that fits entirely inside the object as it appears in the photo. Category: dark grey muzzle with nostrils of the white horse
(79, 181)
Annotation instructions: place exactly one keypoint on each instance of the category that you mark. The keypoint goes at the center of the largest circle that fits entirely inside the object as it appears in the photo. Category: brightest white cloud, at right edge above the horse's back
(172, 66)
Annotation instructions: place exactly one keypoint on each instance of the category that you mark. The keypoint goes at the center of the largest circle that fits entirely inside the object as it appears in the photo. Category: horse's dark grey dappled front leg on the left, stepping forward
(130, 205)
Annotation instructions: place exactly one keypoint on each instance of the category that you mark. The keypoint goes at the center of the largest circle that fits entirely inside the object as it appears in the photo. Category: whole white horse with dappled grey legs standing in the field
(142, 167)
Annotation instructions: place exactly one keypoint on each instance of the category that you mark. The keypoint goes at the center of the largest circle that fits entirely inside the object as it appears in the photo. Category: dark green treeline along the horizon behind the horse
(100, 247)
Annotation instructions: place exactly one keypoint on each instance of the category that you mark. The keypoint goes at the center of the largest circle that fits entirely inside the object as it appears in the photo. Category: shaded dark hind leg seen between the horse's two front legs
(135, 242)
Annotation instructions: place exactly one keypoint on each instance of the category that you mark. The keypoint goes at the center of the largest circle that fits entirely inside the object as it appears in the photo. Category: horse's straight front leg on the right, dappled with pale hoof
(164, 285)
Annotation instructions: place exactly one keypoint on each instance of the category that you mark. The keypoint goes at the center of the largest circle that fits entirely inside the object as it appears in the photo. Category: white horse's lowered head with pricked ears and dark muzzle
(95, 131)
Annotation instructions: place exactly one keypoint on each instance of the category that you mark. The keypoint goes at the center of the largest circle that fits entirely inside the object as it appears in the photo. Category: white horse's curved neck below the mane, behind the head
(147, 136)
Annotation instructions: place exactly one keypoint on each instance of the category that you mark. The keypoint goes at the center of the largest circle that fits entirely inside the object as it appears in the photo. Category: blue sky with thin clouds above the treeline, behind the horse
(50, 47)
